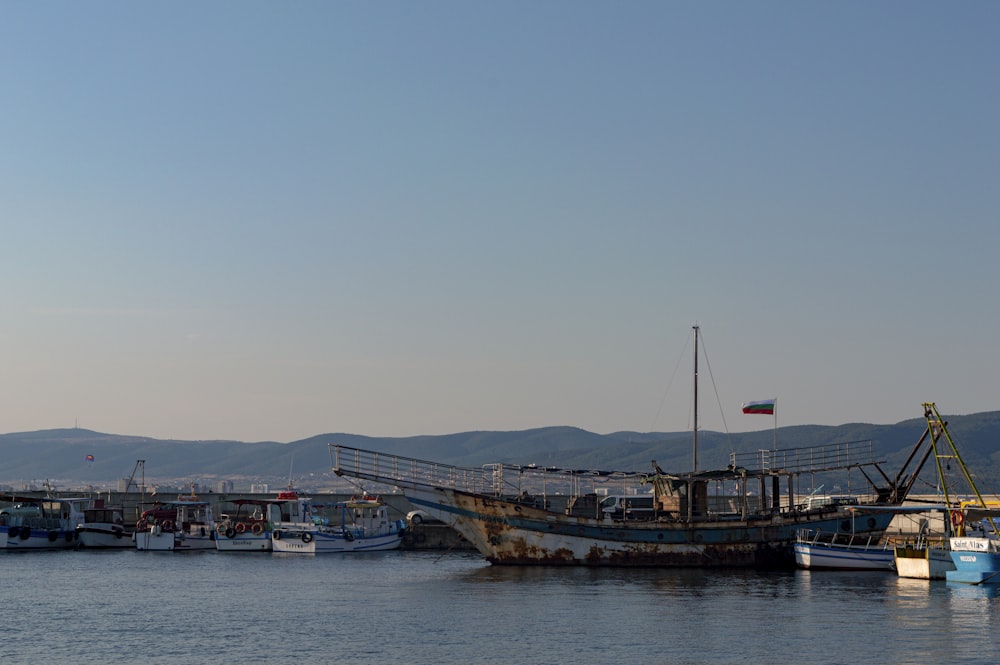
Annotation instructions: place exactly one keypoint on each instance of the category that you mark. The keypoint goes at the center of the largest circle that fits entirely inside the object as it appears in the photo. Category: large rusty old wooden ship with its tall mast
(745, 515)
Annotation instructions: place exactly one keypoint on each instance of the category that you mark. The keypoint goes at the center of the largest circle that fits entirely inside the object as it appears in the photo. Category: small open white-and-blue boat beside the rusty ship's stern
(817, 550)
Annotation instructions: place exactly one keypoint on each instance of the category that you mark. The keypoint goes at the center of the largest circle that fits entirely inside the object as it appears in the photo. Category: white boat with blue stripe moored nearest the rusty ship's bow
(360, 525)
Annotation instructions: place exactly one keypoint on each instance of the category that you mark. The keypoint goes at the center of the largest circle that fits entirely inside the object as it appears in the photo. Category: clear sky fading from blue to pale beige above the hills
(265, 221)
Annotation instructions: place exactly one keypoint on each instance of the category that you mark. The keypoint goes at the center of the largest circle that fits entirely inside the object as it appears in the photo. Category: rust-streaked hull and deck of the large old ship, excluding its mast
(512, 527)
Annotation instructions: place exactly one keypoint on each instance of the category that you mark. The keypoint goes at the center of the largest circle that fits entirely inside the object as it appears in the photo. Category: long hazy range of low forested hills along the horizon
(60, 455)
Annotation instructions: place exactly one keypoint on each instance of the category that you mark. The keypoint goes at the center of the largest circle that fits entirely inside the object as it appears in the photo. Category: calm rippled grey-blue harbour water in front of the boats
(408, 607)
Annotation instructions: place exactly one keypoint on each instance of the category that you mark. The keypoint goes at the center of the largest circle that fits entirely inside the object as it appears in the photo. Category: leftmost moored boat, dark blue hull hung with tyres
(30, 523)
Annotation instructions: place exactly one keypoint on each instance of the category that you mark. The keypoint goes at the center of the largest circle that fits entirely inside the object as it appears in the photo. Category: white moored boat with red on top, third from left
(176, 526)
